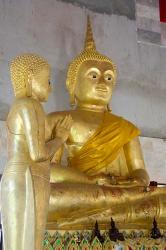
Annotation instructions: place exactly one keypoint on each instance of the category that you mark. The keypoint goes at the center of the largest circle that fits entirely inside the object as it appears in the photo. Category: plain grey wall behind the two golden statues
(56, 30)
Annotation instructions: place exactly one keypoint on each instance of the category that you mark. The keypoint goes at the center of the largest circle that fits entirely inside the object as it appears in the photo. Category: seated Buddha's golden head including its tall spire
(91, 75)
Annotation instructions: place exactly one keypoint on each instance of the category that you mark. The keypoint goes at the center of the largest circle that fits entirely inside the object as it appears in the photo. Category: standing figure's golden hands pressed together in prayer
(62, 128)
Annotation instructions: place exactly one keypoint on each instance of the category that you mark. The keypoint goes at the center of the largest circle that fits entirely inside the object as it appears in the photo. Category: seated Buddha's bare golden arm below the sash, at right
(135, 163)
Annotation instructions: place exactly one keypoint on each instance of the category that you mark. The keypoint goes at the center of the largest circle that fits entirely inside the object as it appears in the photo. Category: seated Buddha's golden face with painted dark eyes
(95, 82)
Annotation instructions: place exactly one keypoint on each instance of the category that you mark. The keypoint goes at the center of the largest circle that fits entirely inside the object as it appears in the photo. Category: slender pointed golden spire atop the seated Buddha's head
(89, 41)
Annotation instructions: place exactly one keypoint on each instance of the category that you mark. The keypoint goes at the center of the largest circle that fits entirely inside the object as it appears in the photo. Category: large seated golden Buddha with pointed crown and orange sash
(105, 174)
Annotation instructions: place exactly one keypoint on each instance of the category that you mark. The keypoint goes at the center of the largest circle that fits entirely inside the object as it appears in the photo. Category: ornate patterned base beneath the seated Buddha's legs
(82, 240)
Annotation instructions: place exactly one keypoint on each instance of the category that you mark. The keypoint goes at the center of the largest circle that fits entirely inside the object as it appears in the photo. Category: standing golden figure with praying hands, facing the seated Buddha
(25, 187)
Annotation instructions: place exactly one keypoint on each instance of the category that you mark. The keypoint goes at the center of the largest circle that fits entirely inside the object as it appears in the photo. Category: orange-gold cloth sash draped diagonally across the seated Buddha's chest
(104, 145)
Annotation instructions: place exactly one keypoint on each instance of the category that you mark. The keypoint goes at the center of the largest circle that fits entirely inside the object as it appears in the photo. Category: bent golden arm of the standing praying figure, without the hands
(35, 133)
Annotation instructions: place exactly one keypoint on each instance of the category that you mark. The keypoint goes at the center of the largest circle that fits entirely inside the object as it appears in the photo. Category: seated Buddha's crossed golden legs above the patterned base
(78, 206)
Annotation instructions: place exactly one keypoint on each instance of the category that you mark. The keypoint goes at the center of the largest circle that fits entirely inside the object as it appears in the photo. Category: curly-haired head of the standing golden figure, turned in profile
(30, 75)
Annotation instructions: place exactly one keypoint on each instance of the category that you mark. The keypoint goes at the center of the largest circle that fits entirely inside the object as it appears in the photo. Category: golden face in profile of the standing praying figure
(40, 83)
